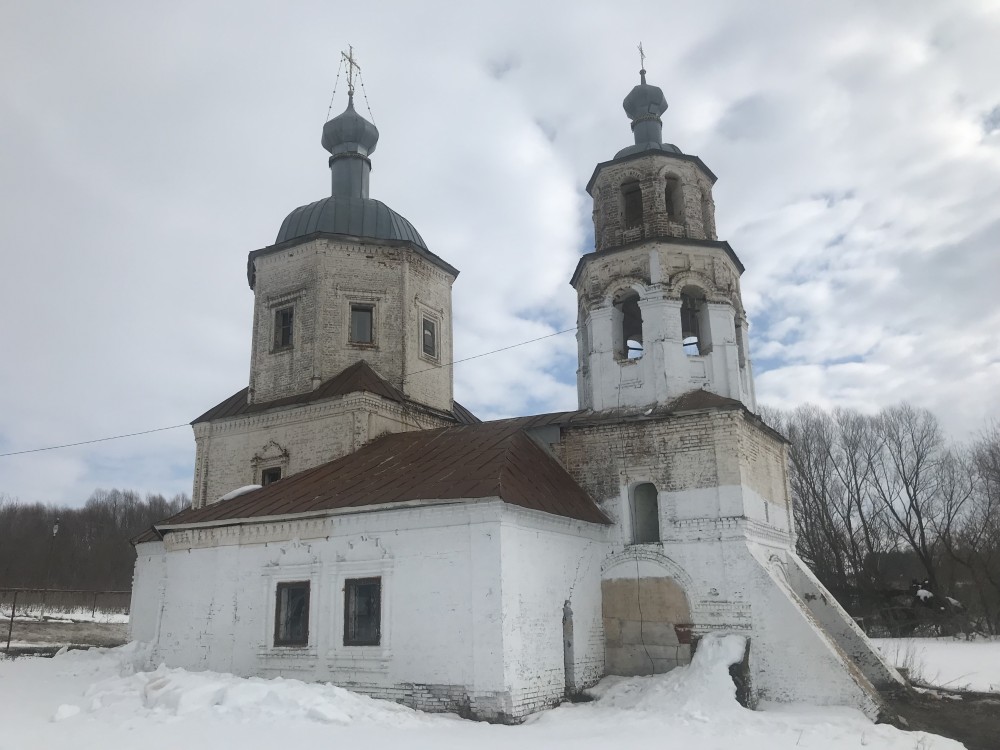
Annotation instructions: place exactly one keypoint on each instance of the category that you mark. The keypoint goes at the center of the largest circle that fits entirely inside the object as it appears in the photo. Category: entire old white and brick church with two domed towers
(352, 523)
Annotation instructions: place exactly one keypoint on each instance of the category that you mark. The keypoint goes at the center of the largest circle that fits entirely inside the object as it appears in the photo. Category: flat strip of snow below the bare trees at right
(946, 662)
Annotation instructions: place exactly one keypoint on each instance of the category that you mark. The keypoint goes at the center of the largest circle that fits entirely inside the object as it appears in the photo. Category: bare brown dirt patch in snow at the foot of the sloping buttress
(970, 718)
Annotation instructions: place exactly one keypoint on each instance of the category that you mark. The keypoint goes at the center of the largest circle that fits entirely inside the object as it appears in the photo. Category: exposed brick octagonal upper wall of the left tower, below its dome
(321, 279)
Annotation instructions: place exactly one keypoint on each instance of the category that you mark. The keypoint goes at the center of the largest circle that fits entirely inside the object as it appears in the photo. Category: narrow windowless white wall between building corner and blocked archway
(547, 561)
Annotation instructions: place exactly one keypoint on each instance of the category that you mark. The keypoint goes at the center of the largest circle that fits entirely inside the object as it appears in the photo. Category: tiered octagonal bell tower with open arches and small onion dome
(659, 306)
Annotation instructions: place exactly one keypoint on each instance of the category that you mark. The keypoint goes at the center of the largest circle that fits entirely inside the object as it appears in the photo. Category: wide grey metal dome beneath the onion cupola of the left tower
(358, 217)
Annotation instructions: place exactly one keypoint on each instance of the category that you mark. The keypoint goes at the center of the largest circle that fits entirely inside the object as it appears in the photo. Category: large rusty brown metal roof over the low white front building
(495, 459)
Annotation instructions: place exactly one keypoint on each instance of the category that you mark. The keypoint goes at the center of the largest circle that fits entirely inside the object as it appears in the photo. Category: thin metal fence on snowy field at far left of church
(62, 604)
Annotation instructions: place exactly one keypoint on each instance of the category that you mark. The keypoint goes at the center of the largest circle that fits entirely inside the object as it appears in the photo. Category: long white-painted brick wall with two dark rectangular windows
(441, 618)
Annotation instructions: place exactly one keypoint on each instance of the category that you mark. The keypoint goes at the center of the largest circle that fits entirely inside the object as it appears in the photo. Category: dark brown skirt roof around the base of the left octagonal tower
(358, 377)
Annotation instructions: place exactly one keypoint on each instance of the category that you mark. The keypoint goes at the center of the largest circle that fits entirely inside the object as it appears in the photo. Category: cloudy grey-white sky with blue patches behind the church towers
(146, 148)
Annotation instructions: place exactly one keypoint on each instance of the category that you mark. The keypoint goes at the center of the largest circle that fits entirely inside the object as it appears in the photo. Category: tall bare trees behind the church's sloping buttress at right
(886, 505)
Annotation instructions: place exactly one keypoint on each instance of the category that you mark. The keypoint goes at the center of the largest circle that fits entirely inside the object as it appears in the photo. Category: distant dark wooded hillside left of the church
(91, 549)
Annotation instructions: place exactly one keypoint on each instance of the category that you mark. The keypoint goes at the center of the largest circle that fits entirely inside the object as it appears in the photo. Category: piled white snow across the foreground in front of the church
(100, 699)
